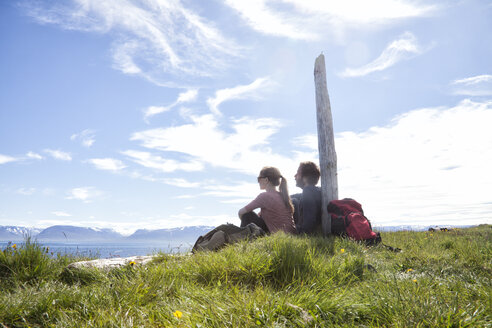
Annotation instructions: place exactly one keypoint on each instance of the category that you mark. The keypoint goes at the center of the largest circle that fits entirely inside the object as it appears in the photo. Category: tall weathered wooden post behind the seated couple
(326, 143)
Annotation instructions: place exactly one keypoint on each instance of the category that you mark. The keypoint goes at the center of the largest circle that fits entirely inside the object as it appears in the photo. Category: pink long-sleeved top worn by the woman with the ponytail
(273, 211)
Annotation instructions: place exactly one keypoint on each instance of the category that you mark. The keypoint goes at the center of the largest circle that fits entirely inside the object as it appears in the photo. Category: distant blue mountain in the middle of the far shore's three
(71, 234)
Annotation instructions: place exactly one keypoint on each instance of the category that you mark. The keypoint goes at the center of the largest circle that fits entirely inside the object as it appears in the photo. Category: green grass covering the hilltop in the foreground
(440, 279)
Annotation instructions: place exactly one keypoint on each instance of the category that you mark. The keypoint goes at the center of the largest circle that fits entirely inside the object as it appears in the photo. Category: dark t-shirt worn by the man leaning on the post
(307, 214)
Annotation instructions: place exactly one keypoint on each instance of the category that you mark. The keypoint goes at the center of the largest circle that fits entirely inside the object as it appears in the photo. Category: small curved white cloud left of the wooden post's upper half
(249, 91)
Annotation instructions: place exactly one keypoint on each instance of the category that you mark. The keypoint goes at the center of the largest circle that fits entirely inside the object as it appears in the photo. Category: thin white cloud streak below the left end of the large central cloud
(149, 160)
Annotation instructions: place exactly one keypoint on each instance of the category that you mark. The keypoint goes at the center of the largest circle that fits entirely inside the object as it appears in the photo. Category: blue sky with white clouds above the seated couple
(159, 114)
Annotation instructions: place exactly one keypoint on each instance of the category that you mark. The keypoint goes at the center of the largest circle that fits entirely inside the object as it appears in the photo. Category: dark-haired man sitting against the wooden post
(307, 214)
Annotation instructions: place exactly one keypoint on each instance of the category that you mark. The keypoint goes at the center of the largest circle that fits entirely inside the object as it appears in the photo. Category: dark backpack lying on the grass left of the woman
(226, 234)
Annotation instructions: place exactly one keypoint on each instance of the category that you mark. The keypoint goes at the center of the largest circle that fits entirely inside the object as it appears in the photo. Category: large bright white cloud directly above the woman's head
(244, 148)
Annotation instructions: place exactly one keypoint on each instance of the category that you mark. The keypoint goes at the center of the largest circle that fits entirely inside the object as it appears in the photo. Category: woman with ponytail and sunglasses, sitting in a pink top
(276, 206)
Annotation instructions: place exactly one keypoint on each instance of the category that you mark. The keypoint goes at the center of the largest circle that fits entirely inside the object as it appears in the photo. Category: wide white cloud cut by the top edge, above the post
(312, 19)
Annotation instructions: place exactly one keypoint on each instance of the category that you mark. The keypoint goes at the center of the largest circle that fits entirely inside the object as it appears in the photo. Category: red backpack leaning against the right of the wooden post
(347, 219)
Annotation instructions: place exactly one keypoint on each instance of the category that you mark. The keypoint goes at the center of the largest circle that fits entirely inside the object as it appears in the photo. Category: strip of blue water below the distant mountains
(108, 250)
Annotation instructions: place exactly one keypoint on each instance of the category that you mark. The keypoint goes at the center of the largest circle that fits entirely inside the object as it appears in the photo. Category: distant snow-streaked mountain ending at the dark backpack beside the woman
(183, 234)
